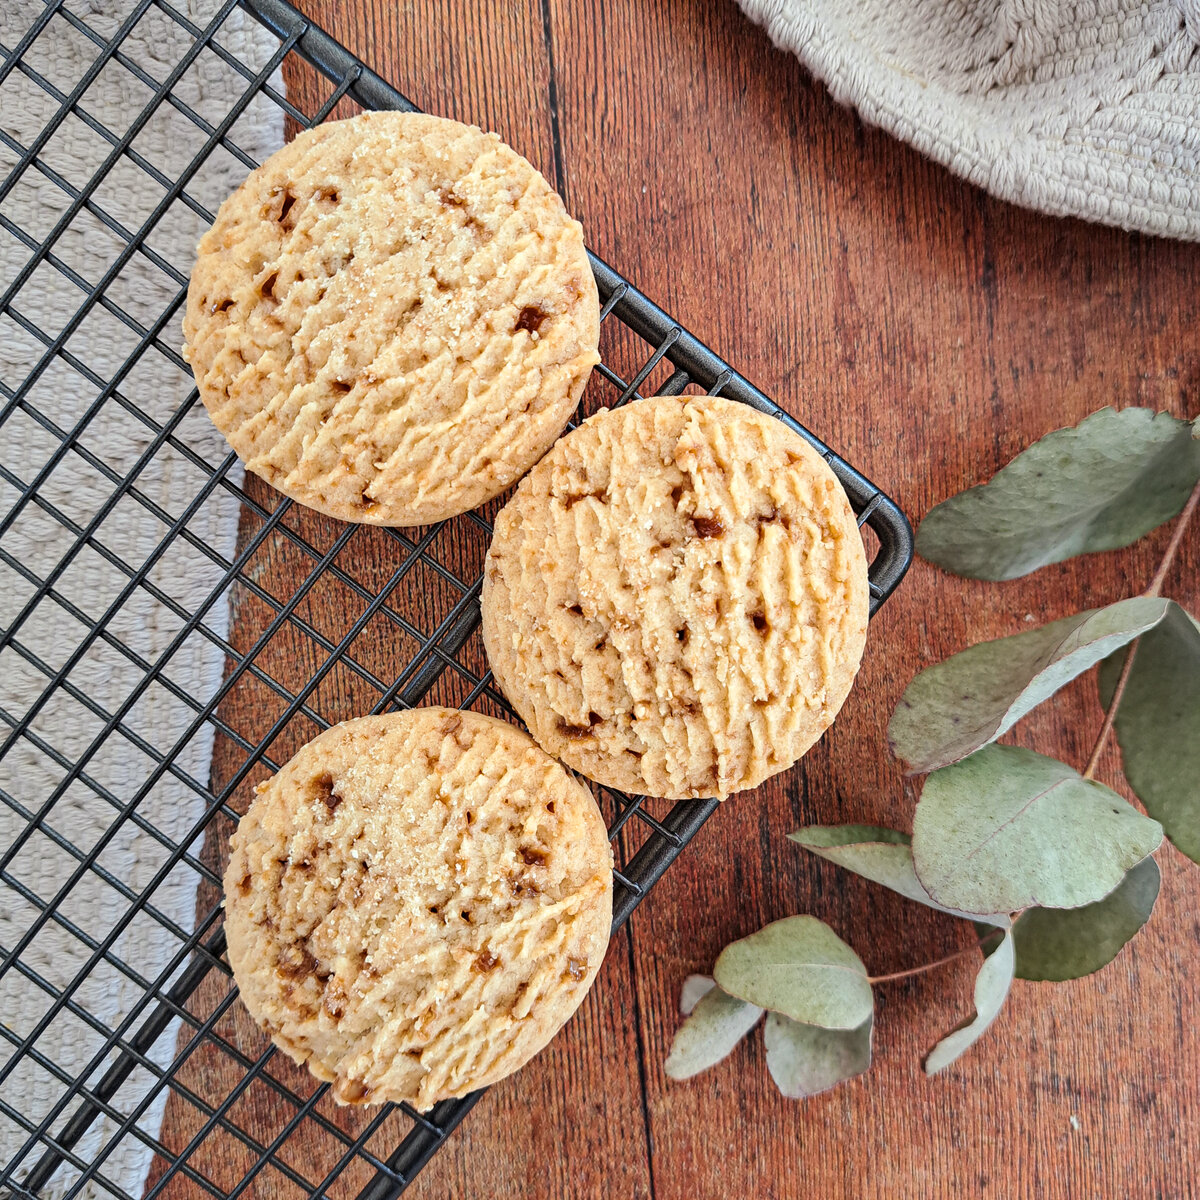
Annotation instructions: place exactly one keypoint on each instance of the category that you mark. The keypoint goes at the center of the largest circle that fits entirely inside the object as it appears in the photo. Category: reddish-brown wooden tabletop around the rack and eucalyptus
(929, 333)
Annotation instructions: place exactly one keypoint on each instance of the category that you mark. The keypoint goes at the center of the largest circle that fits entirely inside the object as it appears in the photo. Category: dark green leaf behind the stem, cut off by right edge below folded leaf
(1159, 727)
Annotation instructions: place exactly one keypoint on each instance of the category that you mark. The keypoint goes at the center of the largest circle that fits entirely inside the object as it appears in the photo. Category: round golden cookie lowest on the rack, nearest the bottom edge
(417, 903)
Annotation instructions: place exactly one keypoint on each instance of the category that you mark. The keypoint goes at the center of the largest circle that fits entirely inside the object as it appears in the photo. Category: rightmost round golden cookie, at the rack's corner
(676, 598)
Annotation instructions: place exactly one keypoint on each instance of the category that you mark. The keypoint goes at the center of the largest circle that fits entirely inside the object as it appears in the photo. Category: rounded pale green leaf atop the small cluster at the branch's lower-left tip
(801, 968)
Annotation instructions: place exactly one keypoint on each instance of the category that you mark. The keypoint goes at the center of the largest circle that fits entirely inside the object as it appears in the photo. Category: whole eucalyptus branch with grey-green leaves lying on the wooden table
(1028, 826)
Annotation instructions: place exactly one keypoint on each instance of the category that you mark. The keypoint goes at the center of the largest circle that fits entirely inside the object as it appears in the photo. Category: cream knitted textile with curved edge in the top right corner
(1087, 109)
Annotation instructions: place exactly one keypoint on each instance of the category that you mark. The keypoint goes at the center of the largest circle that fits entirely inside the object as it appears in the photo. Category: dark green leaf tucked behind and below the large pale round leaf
(1069, 944)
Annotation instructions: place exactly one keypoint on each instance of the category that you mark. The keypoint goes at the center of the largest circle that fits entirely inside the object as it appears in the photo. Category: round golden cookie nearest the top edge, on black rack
(393, 319)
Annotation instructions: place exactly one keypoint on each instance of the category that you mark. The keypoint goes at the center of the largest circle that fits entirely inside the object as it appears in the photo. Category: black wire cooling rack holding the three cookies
(297, 661)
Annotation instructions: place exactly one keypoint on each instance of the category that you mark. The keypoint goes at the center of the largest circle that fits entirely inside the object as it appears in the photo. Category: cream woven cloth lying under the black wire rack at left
(64, 729)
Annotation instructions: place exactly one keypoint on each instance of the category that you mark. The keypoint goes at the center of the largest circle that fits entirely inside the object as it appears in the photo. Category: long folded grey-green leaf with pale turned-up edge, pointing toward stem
(974, 698)
